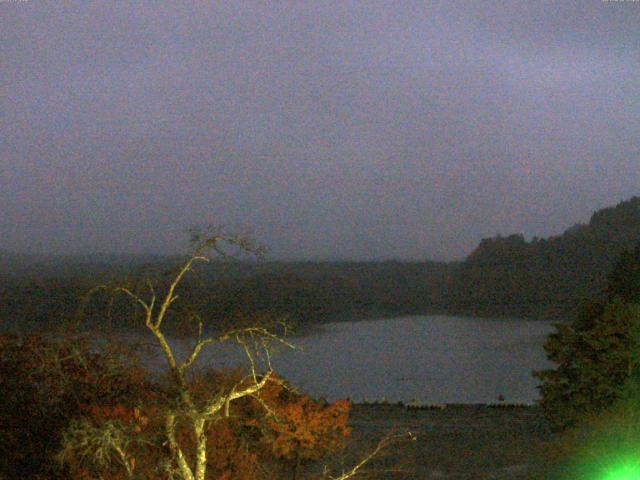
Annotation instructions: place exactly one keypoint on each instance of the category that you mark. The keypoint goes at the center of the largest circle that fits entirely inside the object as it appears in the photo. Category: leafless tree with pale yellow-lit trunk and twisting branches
(255, 341)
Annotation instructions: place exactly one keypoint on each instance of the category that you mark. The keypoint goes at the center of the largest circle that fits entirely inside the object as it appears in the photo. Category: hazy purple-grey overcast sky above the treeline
(359, 130)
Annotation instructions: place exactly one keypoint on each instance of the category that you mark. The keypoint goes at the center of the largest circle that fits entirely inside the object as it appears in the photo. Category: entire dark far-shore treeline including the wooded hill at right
(503, 276)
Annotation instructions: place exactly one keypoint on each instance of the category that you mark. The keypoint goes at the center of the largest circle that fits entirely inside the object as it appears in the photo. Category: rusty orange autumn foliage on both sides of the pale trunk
(70, 411)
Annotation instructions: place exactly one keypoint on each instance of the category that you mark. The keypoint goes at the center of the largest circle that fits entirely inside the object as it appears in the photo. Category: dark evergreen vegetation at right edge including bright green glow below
(591, 400)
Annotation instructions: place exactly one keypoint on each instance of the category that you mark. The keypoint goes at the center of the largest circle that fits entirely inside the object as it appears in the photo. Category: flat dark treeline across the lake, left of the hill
(304, 292)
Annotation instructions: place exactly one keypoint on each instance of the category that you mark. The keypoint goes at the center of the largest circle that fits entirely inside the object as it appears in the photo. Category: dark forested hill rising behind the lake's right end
(544, 277)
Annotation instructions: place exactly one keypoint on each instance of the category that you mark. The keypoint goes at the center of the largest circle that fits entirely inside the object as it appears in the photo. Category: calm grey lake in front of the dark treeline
(425, 359)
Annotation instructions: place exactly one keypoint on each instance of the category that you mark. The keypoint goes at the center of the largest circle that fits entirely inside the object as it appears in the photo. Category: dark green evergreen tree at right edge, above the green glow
(598, 352)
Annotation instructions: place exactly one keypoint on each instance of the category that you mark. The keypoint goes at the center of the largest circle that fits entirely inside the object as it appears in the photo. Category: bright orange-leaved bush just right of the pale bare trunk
(275, 431)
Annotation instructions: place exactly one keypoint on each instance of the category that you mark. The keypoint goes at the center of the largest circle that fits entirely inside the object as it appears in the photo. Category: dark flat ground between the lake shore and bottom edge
(461, 442)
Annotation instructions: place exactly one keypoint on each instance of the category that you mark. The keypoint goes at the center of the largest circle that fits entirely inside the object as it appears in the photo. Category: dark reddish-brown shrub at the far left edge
(44, 385)
